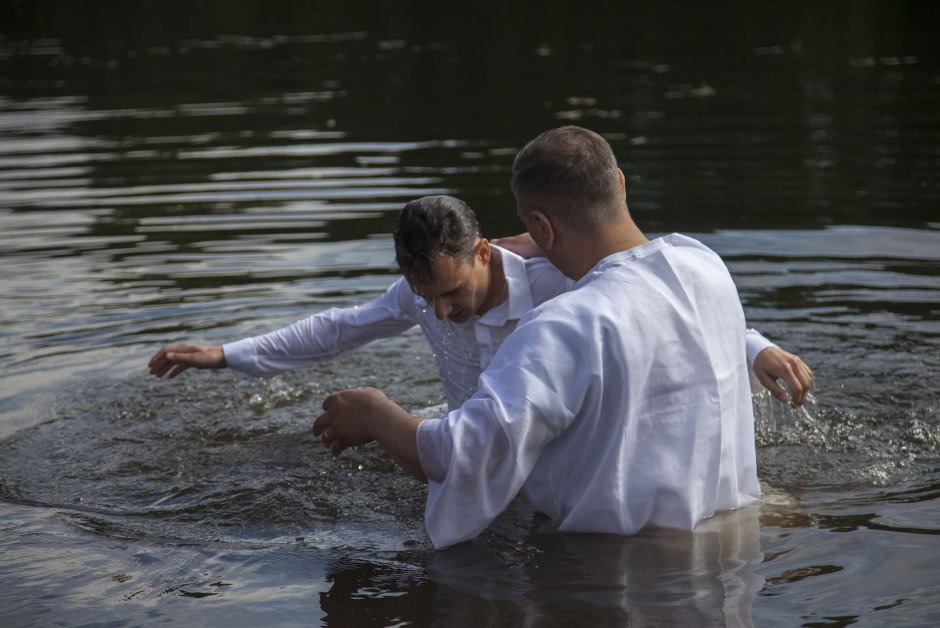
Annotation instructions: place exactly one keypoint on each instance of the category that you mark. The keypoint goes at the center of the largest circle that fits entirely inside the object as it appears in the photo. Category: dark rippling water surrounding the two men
(205, 171)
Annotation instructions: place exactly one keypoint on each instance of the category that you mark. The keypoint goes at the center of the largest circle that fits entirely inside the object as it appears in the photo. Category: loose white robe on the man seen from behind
(621, 404)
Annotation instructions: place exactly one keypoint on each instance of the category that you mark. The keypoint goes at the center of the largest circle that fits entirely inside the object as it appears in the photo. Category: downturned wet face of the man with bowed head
(458, 286)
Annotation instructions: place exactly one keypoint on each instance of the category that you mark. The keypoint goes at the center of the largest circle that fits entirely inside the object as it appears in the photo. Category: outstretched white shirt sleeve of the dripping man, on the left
(323, 335)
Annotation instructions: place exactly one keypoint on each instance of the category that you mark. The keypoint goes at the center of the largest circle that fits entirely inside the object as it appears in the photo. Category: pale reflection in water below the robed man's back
(655, 578)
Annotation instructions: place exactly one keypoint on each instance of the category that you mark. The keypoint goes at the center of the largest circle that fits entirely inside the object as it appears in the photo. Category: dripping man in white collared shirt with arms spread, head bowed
(462, 344)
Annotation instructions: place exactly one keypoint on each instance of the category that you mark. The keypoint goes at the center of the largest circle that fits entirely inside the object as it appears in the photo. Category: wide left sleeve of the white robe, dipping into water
(478, 457)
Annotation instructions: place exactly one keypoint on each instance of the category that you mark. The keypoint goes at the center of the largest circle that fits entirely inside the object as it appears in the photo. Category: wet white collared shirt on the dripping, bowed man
(462, 350)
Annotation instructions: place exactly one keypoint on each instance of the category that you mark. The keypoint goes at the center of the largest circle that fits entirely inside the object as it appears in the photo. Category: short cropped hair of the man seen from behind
(571, 173)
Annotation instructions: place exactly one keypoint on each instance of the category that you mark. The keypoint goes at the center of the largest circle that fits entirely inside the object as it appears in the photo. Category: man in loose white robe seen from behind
(621, 404)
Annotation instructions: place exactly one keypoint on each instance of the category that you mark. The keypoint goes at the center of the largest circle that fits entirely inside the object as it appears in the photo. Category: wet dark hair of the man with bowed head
(429, 226)
